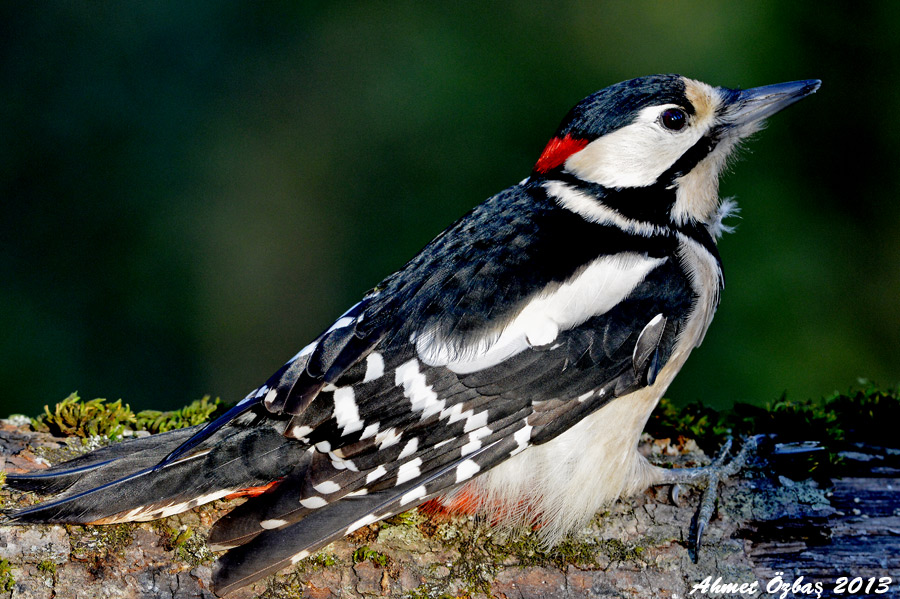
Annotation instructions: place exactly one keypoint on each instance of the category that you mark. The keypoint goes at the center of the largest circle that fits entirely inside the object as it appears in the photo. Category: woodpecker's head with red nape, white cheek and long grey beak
(651, 149)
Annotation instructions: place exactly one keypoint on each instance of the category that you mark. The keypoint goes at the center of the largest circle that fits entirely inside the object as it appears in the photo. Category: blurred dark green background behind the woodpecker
(189, 192)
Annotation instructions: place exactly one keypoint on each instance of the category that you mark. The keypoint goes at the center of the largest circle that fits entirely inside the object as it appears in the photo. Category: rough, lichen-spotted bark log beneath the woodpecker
(767, 528)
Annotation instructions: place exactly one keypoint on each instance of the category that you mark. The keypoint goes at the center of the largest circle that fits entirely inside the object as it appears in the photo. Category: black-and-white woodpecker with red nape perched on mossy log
(508, 368)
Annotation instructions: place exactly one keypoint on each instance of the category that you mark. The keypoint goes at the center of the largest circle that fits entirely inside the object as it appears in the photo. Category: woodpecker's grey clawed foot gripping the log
(709, 477)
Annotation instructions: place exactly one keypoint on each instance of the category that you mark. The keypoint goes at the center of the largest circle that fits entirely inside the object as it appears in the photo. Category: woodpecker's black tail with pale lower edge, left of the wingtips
(128, 485)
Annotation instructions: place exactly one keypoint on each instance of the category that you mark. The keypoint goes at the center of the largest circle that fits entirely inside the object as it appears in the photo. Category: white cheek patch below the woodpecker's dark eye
(635, 155)
